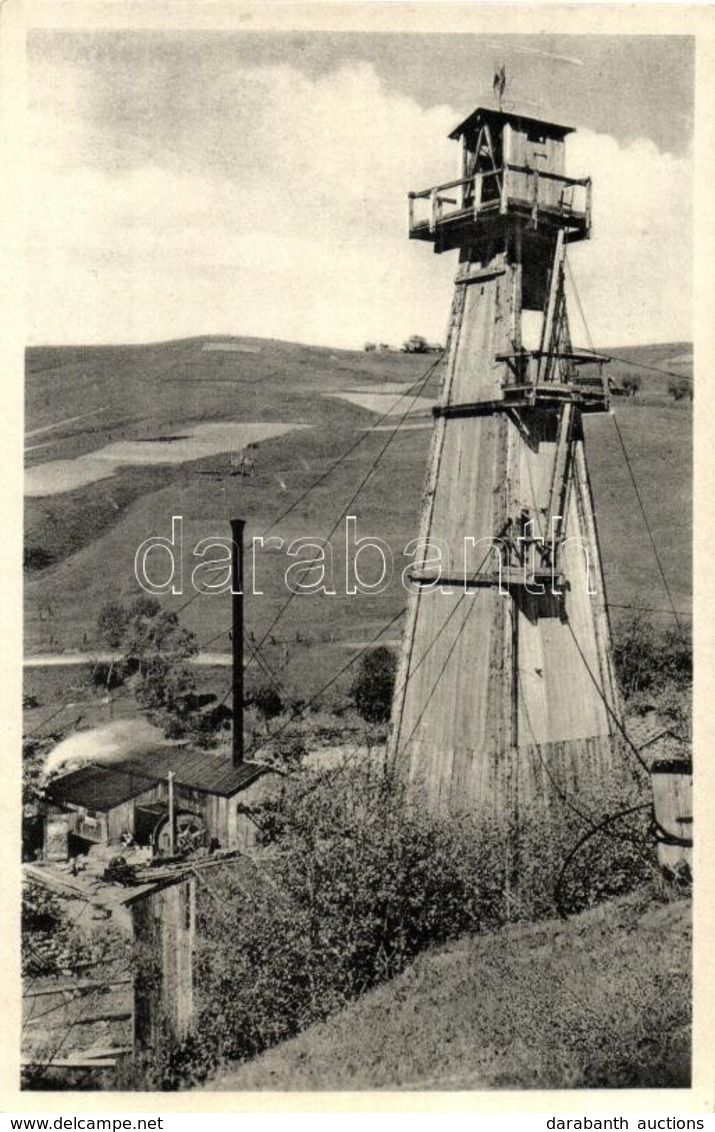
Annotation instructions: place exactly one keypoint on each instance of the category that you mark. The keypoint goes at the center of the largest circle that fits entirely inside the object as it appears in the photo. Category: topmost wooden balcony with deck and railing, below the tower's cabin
(447, 215)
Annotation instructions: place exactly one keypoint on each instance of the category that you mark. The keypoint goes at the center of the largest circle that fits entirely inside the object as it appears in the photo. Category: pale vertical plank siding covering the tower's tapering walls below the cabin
(494, 685)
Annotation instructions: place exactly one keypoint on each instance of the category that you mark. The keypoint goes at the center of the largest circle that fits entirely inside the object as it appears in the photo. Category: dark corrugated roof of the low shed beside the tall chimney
(105, 787)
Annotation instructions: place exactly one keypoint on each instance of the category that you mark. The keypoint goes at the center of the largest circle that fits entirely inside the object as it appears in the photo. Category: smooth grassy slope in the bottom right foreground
(600, 1001)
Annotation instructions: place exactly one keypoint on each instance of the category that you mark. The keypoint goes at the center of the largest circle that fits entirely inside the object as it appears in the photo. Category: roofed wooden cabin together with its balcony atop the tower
(512, 186)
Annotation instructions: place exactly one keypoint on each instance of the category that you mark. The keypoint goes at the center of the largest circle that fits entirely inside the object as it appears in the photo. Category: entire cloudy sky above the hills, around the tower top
(255, 184)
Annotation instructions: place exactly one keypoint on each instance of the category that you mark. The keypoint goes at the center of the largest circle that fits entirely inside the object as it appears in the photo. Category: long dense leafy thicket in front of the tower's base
(358, 882)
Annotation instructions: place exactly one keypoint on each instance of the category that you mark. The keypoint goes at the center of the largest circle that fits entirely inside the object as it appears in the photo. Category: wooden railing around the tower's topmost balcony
(496, 191)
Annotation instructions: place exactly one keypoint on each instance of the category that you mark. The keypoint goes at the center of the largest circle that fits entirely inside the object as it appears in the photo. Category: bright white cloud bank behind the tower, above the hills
(275, 204)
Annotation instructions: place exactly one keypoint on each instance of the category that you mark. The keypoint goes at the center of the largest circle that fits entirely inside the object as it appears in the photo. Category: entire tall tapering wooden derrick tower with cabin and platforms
(506, 683)
